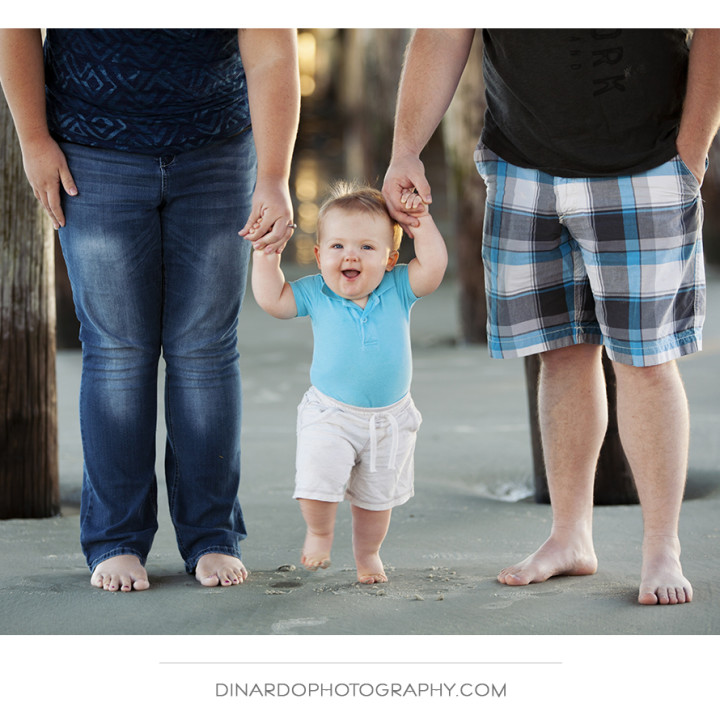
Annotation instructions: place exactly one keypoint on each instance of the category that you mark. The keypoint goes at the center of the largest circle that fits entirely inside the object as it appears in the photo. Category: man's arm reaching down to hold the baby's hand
(433, 66)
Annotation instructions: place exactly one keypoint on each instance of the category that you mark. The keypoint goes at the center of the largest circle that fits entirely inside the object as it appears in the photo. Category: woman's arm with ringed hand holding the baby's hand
(271, 68)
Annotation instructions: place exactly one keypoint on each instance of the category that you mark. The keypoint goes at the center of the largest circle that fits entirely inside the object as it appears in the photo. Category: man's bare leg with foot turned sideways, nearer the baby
(572, 408)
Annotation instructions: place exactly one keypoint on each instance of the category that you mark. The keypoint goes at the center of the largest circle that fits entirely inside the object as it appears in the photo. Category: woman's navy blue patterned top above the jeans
(145, 91)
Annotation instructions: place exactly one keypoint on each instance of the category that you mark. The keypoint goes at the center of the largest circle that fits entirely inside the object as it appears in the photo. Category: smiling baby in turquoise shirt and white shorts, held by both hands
(357, 424)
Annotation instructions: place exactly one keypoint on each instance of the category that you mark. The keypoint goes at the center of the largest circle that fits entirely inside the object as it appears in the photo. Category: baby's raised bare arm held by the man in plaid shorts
(427, 268)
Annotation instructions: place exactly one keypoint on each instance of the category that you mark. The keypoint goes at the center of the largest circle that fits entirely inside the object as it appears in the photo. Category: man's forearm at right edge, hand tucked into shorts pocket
(701, 111)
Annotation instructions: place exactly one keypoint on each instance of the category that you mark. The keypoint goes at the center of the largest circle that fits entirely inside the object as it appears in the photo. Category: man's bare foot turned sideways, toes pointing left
(551, 559)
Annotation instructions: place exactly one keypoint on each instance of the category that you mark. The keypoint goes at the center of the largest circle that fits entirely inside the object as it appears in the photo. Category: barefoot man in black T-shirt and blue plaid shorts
(593, 152)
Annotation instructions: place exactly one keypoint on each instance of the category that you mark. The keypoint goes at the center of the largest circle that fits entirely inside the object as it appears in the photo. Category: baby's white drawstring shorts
(363, 455)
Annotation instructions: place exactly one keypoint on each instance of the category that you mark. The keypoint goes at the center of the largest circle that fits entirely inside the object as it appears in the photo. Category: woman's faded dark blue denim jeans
(156, 266)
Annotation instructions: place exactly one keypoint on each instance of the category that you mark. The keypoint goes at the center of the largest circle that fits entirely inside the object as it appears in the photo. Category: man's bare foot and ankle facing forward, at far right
(662, 581)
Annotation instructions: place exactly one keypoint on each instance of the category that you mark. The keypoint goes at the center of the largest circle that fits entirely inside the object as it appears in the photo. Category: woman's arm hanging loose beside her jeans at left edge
(23, 80)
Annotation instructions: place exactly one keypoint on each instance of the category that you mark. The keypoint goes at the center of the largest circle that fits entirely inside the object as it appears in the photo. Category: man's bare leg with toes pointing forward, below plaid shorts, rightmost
(654, 427)
